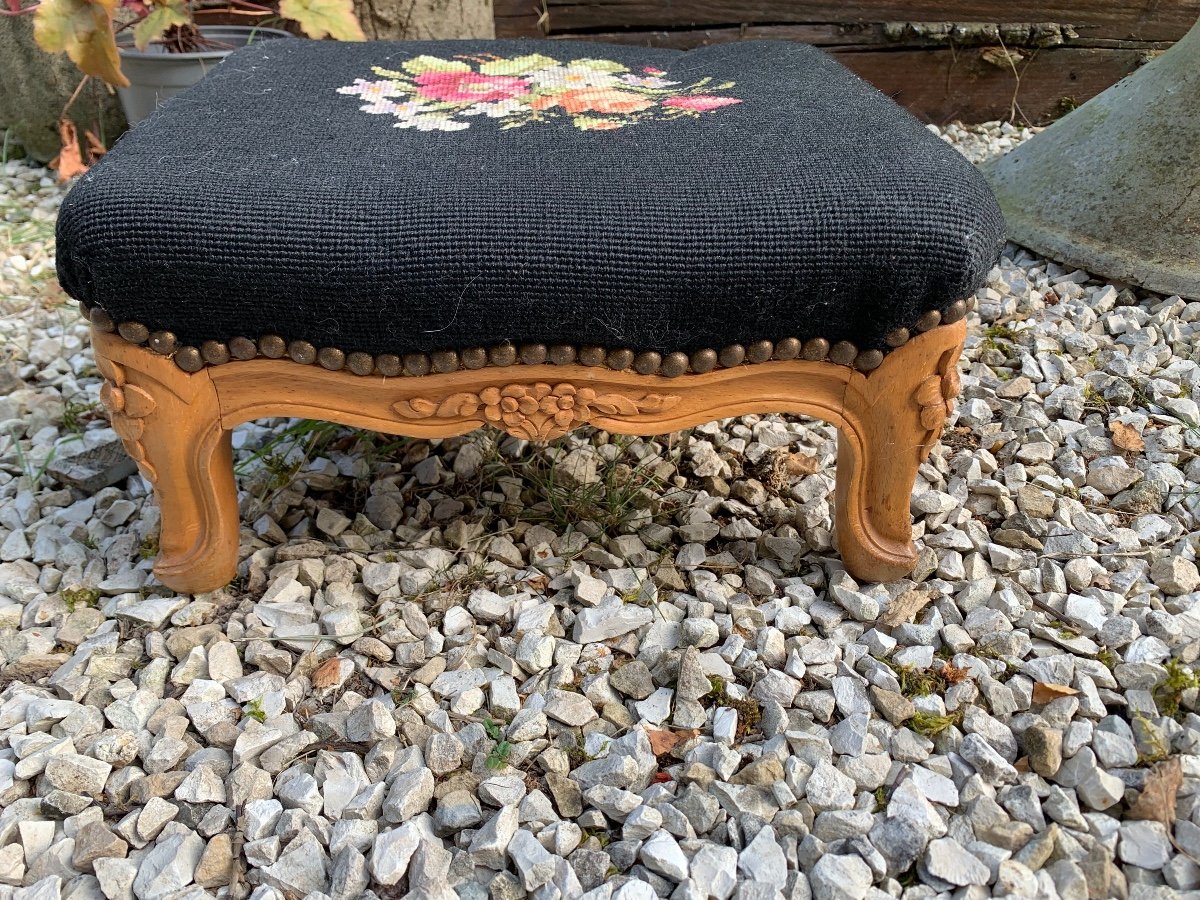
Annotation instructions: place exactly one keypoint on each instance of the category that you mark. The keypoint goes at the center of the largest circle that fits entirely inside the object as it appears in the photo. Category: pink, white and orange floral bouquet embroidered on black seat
(435, 94)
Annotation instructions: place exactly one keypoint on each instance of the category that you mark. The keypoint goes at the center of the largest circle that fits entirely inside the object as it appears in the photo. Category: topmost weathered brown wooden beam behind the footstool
(1141, 21)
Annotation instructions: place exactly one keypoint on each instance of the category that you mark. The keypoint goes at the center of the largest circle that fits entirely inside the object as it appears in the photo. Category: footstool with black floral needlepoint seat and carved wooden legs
(427, 238)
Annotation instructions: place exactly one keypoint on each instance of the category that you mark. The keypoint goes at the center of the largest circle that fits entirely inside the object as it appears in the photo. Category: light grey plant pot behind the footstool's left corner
(158, 75)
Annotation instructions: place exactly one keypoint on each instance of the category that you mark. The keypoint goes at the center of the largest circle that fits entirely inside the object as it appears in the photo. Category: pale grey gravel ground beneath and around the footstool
(619, 668)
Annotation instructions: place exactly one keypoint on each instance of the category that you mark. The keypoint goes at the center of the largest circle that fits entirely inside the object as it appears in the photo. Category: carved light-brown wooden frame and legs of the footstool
(177, 427)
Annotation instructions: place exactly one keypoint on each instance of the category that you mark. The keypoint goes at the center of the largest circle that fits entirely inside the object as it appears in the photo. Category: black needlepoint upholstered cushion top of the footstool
(799, 202)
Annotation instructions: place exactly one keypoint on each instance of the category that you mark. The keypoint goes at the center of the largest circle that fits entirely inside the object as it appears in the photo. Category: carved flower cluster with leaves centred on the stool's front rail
(535, 412)
